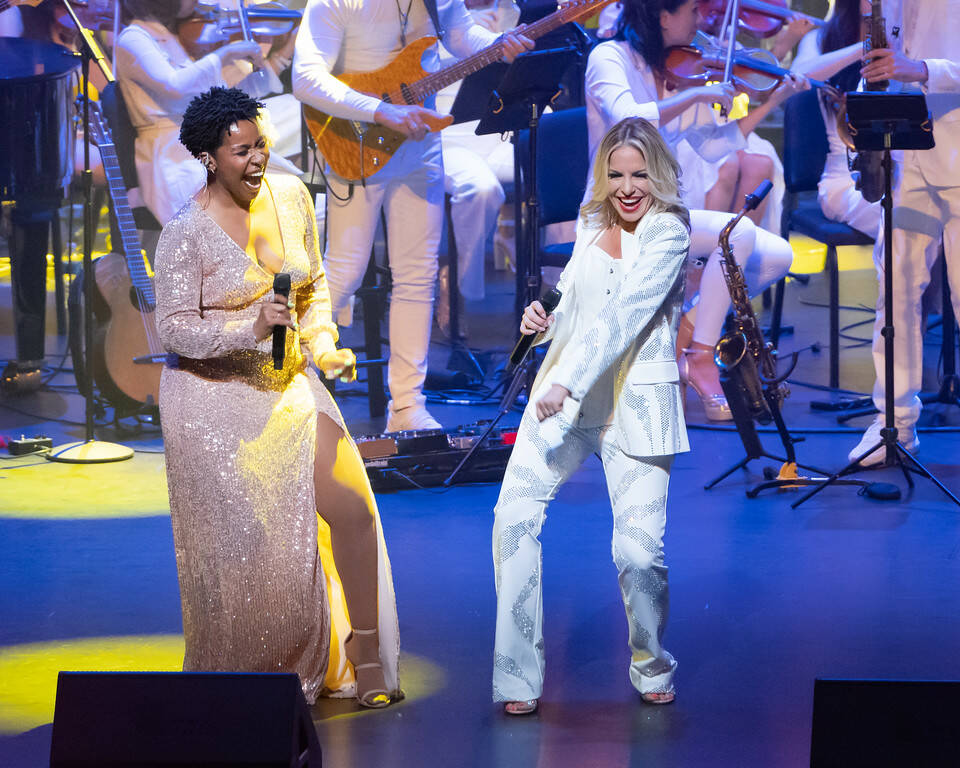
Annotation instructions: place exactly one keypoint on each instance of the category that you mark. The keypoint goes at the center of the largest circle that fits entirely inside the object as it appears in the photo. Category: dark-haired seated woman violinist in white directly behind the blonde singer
(623, 80)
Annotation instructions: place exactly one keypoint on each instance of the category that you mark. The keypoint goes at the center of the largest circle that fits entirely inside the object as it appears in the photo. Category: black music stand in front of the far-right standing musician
(881, 121)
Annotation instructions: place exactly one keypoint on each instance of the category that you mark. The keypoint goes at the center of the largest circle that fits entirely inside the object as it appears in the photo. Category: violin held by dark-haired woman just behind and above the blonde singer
(755, 71)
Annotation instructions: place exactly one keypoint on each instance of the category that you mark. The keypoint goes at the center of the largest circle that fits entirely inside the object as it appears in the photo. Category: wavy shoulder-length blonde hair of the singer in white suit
(663, 174)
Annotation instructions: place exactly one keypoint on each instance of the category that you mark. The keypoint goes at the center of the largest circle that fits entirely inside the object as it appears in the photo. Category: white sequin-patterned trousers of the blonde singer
(546, 454)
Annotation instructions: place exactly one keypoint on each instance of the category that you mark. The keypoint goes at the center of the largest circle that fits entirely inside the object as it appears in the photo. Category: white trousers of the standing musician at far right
(922, 214)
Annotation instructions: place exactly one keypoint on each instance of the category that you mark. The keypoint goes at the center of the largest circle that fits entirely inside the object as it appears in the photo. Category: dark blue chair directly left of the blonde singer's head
(563, 163)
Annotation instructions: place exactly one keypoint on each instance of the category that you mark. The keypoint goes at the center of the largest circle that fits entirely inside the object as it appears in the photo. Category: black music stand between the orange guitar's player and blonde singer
(530, 83)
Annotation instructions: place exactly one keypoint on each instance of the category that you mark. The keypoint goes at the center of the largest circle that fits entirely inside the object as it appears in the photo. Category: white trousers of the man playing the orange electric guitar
(410, 192)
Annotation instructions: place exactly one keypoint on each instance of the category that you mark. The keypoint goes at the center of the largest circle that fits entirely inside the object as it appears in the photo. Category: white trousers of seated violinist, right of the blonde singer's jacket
(763, 256)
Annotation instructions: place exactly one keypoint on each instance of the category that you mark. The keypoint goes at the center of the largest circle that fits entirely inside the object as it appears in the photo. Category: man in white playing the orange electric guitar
(346, 36)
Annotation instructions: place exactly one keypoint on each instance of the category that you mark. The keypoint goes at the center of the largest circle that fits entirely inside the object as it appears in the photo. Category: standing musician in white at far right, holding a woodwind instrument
(926, 198)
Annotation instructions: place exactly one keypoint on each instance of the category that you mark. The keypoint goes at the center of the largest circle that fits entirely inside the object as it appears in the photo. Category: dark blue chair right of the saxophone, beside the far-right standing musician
(804, 156)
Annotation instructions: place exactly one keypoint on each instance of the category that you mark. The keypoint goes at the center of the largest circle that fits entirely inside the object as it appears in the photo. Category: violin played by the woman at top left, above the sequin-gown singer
(212, 26)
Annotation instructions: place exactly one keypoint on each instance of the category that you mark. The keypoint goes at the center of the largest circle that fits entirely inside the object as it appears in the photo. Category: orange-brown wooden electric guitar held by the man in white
(356, 150)
